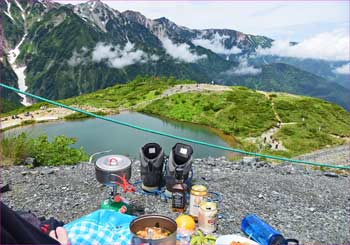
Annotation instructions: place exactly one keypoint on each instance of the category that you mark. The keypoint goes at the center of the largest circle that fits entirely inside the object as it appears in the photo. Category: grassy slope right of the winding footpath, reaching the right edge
(321, 121)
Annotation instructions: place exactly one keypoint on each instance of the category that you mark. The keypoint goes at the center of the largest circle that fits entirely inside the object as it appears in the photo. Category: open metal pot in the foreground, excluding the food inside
(144, 221)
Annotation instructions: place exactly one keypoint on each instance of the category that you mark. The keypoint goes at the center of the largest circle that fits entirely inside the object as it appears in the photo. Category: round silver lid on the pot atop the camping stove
(113, 163)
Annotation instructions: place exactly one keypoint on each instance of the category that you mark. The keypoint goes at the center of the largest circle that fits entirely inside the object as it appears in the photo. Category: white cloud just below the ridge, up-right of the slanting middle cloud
(216, 45)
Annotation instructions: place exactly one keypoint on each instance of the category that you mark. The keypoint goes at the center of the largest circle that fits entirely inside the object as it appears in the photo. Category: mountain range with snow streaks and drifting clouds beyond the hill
(69, 50)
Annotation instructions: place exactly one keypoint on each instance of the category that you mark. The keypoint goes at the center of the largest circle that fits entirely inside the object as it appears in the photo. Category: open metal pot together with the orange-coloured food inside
(153, 229)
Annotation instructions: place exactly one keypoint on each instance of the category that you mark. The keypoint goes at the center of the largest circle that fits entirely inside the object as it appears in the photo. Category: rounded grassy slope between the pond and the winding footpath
(241, 111)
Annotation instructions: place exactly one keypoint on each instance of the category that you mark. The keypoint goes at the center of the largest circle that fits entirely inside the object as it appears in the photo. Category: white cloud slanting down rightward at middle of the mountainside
(180, 51)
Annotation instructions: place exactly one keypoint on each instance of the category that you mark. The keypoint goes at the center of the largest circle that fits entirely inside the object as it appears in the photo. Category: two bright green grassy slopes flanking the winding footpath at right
(245, 113)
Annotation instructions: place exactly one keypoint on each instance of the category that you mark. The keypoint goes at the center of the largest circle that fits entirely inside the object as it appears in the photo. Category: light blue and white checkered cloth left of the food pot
(100, 227)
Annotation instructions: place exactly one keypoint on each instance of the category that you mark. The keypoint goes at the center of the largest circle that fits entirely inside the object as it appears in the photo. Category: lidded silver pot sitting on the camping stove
(108, 168)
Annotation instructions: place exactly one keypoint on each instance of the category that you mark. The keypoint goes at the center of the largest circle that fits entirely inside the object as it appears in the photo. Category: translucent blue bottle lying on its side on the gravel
(258, 230)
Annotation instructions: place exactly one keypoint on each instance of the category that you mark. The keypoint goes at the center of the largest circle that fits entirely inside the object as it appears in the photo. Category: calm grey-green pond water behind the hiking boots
(97, 135)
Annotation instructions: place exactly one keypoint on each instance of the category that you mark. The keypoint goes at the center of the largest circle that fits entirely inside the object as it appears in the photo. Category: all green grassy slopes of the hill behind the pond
(241, 112)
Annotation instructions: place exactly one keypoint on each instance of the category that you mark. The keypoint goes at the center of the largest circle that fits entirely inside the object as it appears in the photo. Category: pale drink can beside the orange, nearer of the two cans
(207, 217)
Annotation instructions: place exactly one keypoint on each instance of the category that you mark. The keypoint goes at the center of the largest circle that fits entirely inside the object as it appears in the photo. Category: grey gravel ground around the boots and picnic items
(309, 205)
